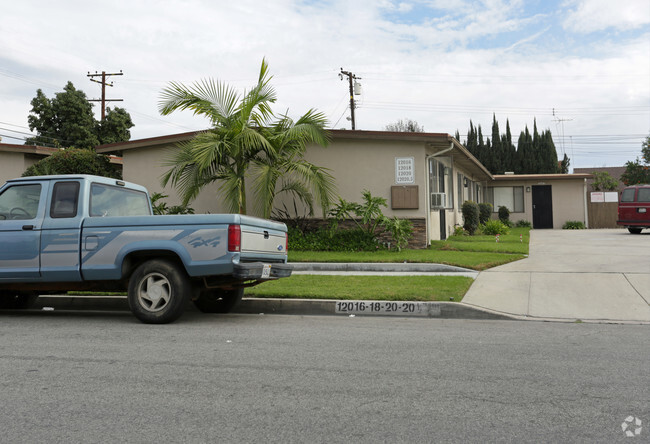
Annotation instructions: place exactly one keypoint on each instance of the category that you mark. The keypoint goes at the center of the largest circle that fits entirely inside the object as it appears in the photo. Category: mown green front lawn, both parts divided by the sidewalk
(474, 252)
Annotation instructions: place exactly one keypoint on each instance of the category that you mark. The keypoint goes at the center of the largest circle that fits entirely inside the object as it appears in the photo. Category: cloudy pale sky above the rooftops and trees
(580, 67)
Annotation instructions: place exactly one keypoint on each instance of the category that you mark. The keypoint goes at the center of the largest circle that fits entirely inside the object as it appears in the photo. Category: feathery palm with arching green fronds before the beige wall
(243, 141)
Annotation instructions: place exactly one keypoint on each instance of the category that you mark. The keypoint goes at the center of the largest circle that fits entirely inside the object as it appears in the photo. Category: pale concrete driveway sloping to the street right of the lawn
(601, 275)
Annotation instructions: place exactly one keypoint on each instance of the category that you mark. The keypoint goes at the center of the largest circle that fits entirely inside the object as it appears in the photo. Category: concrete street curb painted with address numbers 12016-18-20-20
(303, 307)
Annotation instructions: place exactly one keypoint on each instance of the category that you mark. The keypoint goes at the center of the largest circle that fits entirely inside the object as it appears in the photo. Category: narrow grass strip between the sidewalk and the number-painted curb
(381, 288)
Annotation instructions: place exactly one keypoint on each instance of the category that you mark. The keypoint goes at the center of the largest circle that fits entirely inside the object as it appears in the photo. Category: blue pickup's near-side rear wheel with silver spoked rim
(158, 291)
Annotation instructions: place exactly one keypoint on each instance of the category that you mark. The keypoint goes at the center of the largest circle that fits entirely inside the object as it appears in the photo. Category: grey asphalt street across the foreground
(104, 377)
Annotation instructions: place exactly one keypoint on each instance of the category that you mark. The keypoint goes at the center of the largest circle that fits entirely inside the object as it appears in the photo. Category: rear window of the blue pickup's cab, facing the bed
(108, 200)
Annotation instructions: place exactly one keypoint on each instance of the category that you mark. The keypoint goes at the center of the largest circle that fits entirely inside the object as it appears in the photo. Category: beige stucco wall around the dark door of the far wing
(567, 197)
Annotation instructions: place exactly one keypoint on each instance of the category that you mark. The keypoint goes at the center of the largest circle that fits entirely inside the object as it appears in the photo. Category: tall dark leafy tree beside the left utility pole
(67, 120)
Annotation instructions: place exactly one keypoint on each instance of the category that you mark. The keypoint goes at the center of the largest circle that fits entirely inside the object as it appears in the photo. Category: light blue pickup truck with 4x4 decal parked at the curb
(82, 232)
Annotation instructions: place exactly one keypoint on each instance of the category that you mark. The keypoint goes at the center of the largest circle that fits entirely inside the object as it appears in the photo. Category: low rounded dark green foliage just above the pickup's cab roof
(75, 161)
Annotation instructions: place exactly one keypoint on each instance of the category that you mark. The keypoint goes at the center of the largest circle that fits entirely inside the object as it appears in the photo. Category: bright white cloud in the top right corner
(586, 16)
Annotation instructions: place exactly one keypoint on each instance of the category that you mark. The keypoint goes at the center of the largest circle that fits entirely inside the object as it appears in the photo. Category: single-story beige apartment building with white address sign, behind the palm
(425, 177)
